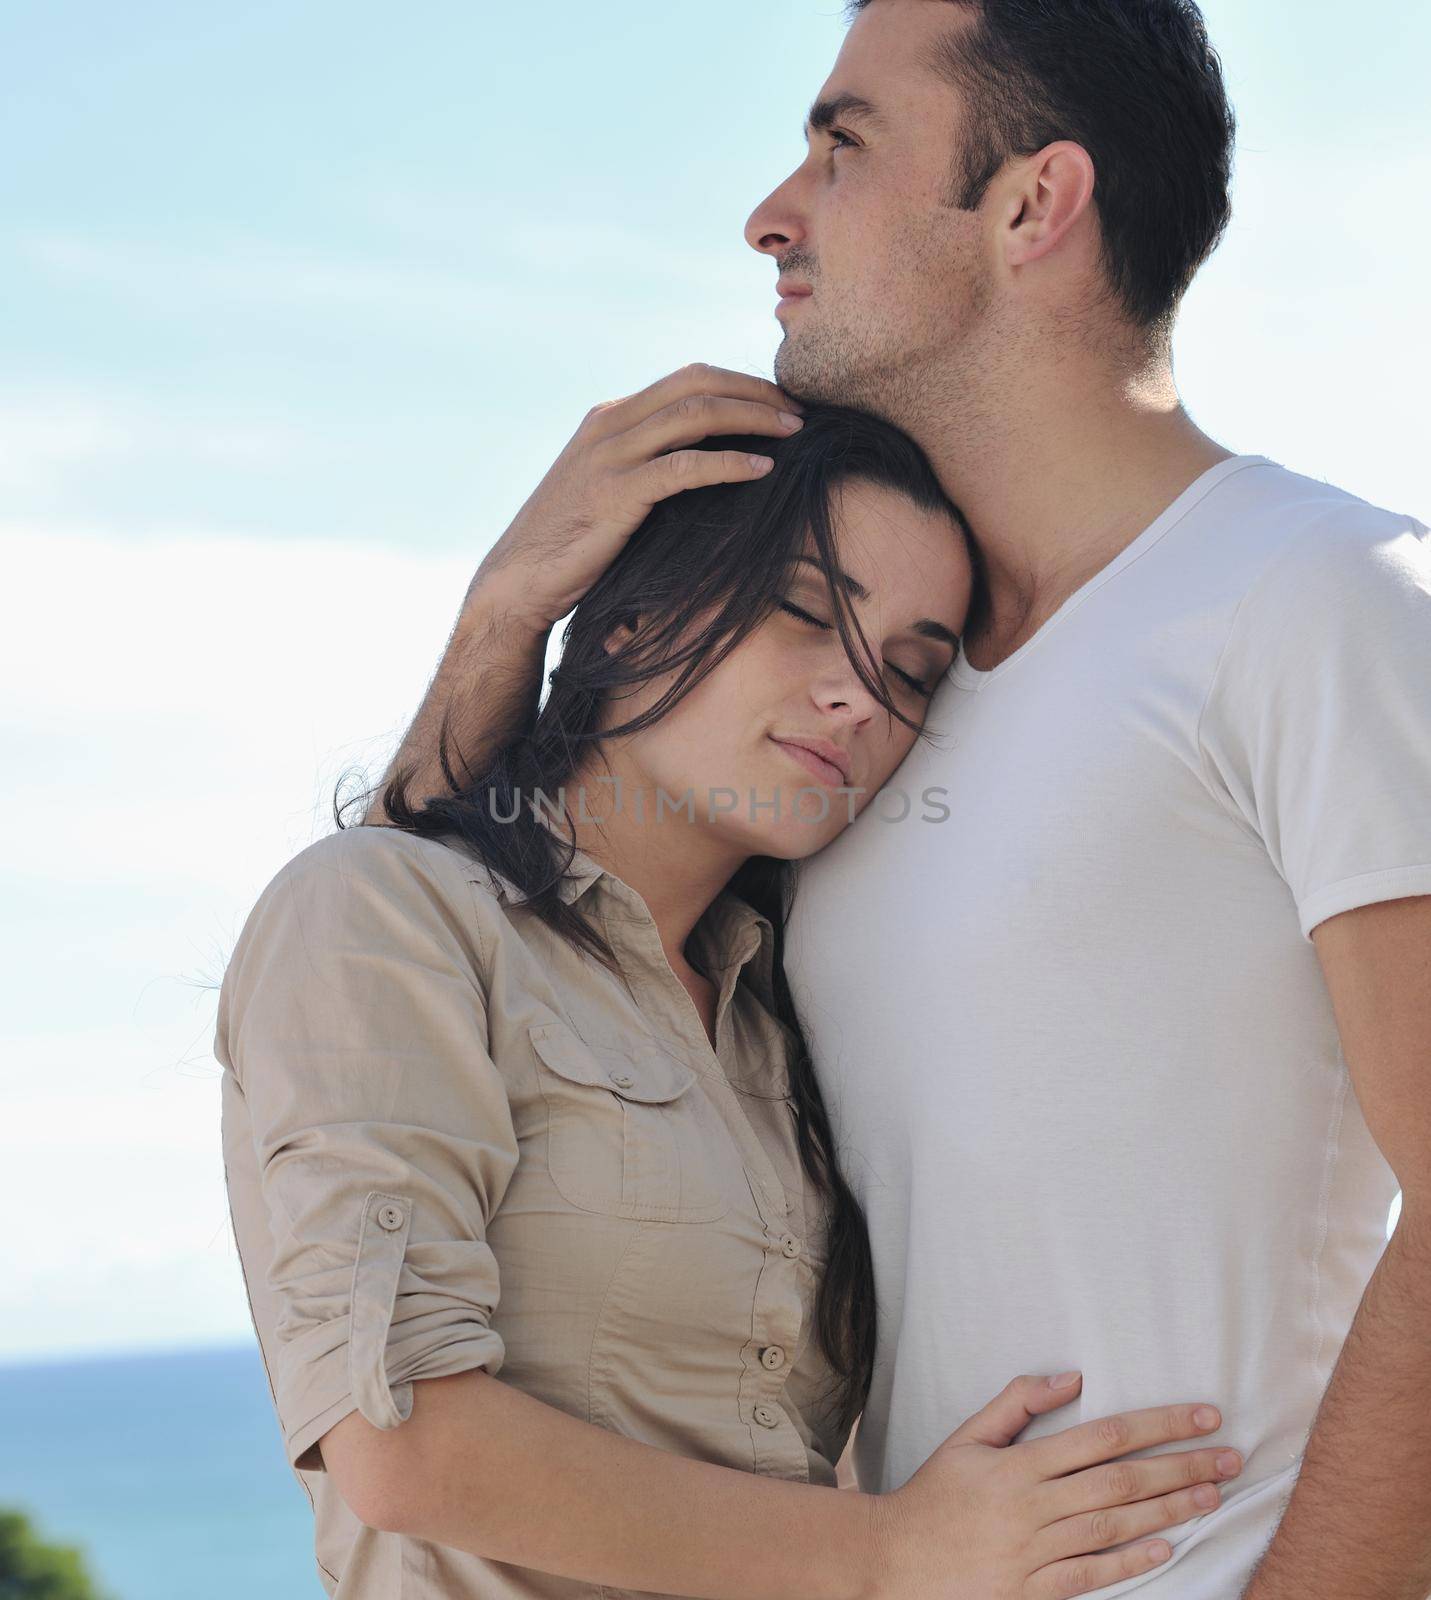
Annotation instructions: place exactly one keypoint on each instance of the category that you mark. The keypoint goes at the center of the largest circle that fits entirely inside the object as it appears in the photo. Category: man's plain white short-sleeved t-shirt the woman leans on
(1073, 1033)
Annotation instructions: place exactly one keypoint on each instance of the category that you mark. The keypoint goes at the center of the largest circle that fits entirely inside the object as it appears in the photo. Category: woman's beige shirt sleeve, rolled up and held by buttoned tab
(355, 1023)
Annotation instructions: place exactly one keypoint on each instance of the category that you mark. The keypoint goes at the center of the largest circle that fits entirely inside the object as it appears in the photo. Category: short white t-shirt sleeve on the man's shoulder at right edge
(1317, 730)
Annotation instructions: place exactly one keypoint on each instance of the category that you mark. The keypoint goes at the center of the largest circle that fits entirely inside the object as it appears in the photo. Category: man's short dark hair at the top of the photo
(1140, 89)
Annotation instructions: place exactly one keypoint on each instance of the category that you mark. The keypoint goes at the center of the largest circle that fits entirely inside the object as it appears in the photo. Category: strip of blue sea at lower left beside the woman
(166, 1470)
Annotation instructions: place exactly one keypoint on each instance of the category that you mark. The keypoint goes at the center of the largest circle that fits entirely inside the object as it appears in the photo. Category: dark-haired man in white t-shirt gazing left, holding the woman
(1148, 1049)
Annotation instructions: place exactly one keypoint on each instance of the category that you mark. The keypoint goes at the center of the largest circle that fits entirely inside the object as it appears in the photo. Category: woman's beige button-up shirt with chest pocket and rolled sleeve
(454, 1142)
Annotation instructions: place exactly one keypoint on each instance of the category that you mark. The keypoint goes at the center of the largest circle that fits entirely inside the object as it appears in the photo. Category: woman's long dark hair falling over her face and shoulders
(728, 551)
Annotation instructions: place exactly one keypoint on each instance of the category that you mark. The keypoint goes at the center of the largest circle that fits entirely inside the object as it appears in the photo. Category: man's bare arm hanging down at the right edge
(1358, 1526)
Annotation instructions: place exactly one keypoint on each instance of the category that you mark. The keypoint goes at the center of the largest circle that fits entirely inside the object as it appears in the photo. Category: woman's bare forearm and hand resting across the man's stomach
(484, 1468)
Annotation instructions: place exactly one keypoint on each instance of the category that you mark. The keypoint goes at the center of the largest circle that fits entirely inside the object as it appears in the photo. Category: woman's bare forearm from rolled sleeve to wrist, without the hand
(484, 1468)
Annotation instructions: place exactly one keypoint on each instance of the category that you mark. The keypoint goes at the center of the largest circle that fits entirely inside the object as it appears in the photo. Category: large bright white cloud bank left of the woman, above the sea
(175, 714)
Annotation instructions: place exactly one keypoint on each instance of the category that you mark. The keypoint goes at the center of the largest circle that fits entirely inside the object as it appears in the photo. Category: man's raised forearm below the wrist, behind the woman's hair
(487, 684)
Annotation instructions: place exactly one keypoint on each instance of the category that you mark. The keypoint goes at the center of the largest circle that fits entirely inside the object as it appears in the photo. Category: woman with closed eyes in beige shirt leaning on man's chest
(516, 1087)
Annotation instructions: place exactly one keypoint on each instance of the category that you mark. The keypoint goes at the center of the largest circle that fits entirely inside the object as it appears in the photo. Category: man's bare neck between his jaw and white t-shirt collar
(1059, 470)
